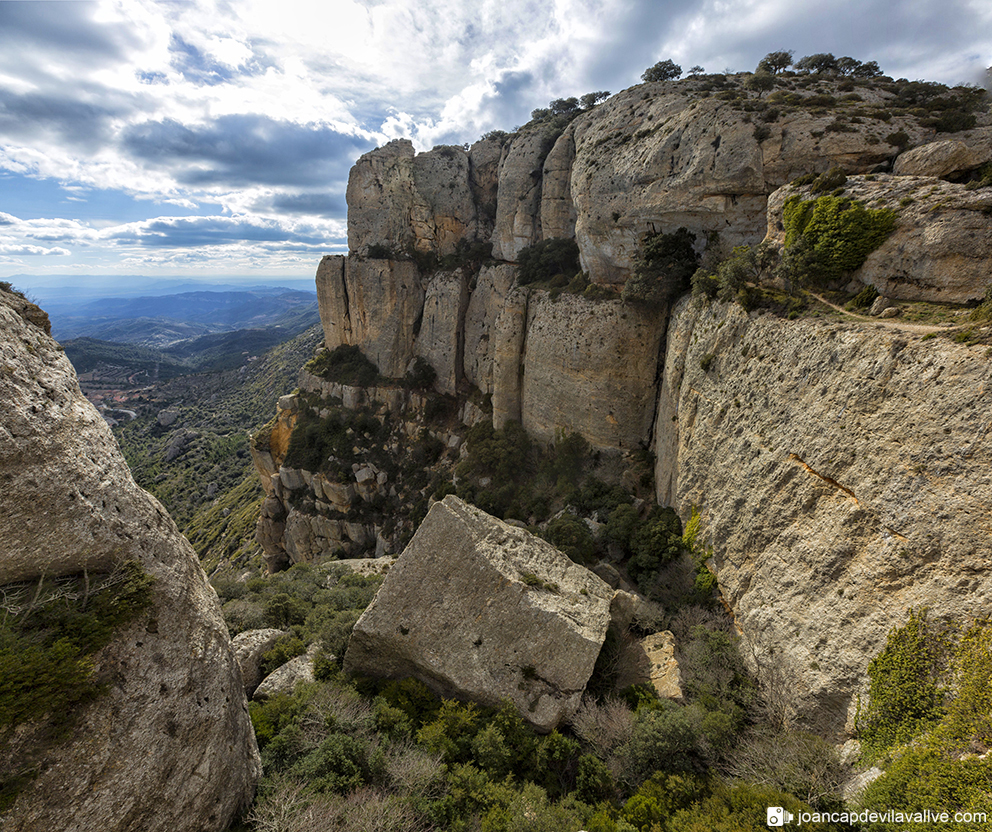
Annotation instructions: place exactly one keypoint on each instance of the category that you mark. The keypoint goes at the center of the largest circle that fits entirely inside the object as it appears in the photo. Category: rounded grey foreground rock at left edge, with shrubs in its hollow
(169, 746)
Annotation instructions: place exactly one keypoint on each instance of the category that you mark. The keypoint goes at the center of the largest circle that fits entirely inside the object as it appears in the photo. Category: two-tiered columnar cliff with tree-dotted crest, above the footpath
(653, 158)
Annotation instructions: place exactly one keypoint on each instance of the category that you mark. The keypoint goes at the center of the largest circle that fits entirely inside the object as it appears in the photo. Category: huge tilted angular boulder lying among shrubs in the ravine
(479, 609)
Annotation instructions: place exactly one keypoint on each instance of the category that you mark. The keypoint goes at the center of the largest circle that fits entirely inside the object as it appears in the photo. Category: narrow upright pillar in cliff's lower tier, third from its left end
(440, 341)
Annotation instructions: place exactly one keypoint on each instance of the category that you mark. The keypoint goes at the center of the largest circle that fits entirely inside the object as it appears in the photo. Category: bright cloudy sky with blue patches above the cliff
(214, 137)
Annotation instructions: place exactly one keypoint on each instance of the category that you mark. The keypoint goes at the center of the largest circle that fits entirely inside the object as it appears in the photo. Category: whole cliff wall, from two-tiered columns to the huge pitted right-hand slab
(811, 449)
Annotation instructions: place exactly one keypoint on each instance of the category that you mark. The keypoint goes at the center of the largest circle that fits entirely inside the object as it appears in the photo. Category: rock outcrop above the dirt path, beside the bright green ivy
(940, 249)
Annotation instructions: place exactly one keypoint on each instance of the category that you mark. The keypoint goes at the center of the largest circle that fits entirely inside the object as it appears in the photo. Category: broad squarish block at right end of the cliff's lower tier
(591, 368)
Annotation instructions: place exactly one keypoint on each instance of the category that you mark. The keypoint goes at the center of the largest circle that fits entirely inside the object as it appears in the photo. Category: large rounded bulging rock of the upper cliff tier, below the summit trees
(653, 158)
